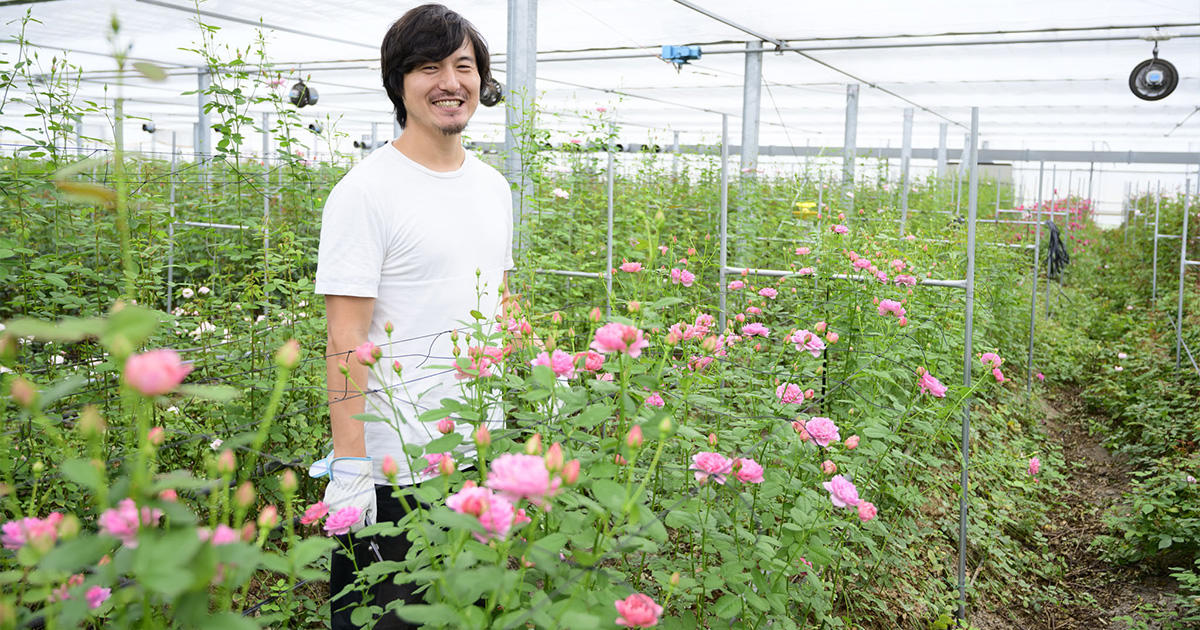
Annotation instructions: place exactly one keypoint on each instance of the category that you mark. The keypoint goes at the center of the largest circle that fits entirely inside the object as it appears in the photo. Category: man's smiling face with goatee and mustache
(443, 95)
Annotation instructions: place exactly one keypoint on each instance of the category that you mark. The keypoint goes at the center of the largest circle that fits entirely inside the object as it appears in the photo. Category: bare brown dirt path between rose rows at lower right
(1095, 593)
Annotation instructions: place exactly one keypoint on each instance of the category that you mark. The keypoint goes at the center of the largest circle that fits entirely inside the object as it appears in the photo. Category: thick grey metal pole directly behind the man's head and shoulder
(521, 65)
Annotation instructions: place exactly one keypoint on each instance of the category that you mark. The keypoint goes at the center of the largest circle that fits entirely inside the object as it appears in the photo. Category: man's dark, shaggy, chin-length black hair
(429, 33)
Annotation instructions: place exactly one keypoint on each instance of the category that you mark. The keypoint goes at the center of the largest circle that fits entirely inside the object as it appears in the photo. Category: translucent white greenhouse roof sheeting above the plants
(1058, 95)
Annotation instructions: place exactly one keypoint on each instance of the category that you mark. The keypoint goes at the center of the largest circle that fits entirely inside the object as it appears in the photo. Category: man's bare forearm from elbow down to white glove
(346, 399)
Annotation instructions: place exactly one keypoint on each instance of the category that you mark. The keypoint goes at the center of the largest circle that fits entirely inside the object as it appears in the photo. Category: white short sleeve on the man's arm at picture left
(350, 259)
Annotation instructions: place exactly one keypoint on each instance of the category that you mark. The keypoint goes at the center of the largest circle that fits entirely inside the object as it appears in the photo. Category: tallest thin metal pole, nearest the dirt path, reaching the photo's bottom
(973, 200)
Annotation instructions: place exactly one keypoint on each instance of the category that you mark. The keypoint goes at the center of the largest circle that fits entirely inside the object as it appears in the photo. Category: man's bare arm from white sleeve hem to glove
(349, 322)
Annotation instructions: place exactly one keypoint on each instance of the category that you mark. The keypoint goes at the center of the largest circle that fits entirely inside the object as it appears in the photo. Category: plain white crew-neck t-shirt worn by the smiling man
(415, 239)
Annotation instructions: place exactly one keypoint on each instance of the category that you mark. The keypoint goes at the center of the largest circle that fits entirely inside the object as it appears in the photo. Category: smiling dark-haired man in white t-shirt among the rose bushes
(417, 236)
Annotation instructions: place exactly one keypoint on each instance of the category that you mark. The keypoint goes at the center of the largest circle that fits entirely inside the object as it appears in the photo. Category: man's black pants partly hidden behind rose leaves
(341, 569)
